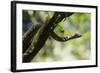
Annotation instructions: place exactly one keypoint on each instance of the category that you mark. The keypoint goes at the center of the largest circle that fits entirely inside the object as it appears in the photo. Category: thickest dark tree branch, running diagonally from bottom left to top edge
(44, 33)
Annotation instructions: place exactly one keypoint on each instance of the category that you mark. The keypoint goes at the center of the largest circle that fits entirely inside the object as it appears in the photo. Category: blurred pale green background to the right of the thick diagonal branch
(76, 49)
